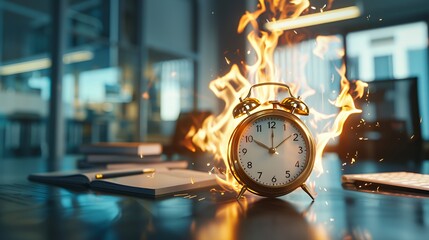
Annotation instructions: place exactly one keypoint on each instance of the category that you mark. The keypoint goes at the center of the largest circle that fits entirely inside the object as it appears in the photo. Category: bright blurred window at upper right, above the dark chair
(393, 52)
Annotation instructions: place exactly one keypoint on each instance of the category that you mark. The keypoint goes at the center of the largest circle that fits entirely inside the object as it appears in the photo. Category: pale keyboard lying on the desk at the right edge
(400, 180)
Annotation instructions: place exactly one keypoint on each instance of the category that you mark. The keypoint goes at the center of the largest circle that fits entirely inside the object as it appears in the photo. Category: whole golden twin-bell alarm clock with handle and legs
(271, 152)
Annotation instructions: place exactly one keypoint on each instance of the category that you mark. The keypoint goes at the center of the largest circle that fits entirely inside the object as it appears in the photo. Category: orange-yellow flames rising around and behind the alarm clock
(215, 132)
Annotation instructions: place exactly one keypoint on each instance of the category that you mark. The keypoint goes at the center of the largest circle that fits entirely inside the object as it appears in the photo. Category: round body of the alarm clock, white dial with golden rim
(272, 149)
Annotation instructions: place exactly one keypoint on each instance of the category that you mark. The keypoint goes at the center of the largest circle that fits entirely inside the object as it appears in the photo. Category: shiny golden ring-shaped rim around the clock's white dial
(253, 186)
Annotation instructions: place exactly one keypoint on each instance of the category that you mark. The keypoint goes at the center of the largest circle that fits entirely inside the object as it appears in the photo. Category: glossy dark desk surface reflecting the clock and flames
(36, 211)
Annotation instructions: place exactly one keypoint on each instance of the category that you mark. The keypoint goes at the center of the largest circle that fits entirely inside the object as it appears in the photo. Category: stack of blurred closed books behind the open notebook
(119, 155)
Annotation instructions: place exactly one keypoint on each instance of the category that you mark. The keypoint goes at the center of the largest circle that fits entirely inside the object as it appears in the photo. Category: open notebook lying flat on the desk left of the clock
(160, 182)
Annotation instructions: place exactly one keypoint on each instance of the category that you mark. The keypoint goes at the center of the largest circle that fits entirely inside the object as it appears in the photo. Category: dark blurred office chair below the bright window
(388, 129)
